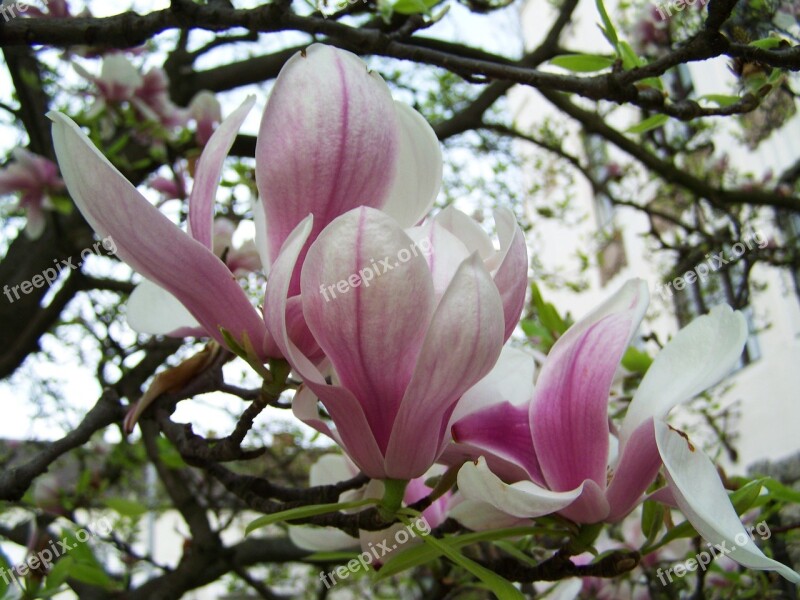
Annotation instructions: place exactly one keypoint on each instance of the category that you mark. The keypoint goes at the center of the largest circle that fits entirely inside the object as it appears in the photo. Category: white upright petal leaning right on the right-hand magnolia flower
(697, 357)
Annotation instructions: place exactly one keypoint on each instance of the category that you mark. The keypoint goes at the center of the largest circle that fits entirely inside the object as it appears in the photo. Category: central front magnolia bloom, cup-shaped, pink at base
(423, 319)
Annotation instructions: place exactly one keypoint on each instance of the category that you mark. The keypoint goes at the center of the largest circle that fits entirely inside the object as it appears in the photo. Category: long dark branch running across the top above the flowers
(131, 29)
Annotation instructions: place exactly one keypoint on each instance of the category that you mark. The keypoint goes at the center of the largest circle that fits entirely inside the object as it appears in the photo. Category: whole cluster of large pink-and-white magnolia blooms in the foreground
(412, 370)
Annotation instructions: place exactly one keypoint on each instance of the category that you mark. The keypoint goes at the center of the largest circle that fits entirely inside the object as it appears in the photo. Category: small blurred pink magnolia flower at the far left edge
(33, 177)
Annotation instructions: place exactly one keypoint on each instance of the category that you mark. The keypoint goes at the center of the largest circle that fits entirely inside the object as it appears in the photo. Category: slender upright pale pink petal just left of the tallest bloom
(209, 171)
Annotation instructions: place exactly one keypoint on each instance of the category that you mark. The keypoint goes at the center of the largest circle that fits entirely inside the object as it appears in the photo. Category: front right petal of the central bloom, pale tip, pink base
(461, 346)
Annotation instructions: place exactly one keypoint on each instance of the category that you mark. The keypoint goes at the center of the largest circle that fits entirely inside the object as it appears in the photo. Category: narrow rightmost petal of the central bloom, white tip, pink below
(511, 276)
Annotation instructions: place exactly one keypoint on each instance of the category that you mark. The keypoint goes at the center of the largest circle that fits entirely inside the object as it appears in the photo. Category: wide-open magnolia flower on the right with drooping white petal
(566, 449)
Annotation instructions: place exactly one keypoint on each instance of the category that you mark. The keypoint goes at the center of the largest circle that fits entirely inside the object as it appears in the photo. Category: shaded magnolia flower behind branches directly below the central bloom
(331, 469)
